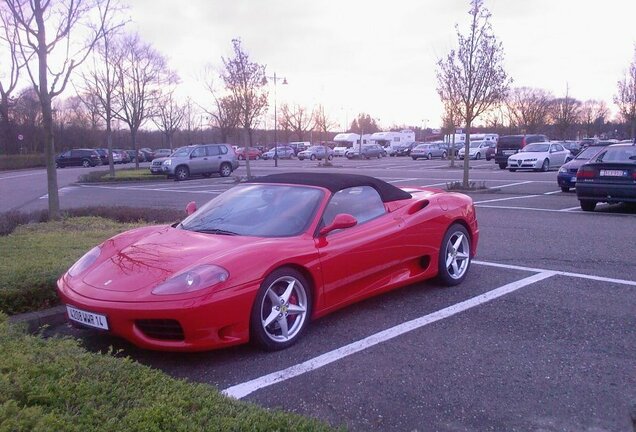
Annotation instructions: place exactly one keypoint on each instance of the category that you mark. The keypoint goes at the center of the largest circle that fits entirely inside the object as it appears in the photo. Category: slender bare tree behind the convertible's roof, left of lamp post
(245, 80)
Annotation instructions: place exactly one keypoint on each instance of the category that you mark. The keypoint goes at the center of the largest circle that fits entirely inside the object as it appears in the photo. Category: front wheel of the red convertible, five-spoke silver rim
(281, 310)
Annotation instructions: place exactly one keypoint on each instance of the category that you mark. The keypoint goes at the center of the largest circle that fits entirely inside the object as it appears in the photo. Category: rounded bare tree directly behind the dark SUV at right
(529, 108)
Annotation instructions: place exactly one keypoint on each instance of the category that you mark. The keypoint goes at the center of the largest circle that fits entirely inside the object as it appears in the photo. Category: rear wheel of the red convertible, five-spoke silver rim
(456, 242)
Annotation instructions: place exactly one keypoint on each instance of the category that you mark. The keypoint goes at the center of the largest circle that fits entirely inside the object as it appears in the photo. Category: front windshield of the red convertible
(261, 210)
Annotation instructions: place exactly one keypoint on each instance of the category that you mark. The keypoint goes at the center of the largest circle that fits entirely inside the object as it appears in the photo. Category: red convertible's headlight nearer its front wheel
(200, 277)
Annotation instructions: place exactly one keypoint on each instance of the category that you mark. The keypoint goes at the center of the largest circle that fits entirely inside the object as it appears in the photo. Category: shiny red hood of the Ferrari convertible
(126, 272)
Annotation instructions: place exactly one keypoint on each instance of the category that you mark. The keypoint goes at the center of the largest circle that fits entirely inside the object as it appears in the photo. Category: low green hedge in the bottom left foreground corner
(55, 385)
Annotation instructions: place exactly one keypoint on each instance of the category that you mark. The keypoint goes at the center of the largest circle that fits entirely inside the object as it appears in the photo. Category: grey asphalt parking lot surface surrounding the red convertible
(540, 336)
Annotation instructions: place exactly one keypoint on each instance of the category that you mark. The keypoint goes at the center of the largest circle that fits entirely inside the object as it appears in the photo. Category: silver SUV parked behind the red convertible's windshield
(200, 159)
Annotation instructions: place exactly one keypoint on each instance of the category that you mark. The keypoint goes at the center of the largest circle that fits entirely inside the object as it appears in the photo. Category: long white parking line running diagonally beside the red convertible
(241, 390)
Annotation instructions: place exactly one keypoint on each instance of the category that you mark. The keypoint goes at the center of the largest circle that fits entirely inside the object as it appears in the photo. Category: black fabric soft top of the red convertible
(336, 181)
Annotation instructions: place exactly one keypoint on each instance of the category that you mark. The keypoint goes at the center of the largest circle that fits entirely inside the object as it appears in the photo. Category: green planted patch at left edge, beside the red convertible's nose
(34, 256)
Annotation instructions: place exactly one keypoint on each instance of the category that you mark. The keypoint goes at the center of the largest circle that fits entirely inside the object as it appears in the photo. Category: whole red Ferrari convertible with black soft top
(261, 260)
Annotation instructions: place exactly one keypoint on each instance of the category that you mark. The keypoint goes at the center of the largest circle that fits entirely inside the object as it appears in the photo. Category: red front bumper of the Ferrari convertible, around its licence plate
(211, 321)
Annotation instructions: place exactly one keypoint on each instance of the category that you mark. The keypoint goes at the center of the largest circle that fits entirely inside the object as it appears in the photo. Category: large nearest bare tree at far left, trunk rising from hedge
(41, 27)
